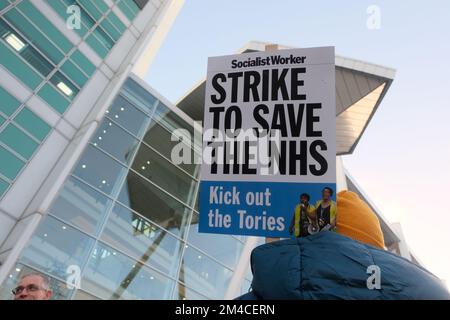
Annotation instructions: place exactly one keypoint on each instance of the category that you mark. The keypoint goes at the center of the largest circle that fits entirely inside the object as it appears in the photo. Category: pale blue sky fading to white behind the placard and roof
(402, 161)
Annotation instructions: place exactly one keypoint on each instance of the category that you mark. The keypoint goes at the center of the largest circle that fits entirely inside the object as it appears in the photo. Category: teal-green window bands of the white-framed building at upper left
(44, 59)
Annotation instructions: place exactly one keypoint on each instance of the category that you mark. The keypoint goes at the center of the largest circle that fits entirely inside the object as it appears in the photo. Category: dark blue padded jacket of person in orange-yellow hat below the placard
(327, 265)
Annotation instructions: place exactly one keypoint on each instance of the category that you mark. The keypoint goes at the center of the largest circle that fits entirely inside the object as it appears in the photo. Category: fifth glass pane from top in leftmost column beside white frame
(80, 205)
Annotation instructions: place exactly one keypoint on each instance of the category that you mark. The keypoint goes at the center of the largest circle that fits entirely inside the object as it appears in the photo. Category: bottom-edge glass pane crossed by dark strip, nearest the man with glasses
(111, 275)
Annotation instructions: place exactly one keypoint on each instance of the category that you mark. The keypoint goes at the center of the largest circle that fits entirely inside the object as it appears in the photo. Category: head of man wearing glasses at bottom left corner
(33, 286)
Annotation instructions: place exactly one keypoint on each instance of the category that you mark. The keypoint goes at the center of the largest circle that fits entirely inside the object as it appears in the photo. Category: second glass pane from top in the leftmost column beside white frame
(125, 114)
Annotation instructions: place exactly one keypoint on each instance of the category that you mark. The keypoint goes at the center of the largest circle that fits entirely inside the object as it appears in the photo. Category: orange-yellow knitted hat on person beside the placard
(355, 219)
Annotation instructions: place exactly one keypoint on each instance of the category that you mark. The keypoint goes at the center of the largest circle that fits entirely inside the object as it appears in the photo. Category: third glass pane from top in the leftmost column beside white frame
(116, 141)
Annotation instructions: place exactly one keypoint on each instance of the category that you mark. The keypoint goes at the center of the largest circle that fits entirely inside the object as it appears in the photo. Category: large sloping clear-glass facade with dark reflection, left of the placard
(126, 217)
